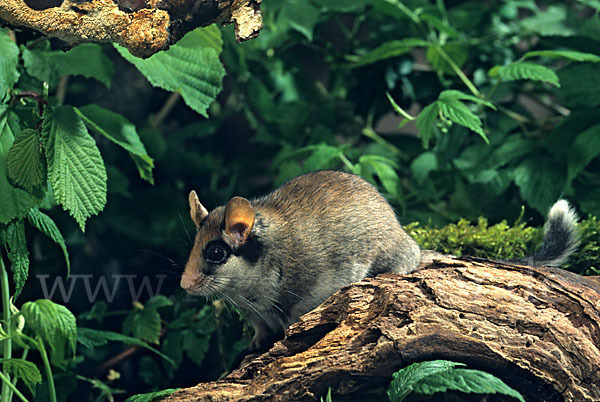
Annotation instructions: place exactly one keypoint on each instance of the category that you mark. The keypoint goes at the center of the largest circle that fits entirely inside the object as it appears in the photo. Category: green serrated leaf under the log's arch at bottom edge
(467, 381)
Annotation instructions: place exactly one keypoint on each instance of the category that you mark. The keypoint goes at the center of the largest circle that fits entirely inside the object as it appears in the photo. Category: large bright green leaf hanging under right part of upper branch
(190, 67)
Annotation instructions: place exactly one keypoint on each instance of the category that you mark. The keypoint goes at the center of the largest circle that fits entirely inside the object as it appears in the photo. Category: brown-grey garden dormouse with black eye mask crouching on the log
(278, 256)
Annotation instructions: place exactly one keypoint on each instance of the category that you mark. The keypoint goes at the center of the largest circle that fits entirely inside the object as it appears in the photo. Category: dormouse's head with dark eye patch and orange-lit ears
(225, 248)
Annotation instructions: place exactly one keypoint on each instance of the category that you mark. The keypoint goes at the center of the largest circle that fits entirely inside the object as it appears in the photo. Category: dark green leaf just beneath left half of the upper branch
(86, 60)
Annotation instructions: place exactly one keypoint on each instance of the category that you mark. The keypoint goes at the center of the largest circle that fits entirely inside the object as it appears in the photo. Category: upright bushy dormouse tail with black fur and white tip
(560, 237)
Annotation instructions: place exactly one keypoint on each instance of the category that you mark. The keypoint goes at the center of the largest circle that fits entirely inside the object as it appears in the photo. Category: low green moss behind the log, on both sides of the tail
(504, 242)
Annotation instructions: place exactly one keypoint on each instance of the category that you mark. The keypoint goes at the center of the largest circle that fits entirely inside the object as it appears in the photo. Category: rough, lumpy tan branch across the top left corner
(142, 26)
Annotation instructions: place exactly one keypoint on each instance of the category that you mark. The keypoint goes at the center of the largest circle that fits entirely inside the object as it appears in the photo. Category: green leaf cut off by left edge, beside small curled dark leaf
(15, 202)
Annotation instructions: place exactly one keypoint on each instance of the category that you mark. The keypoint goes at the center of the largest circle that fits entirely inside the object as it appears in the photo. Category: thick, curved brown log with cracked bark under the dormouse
(536, 328)
